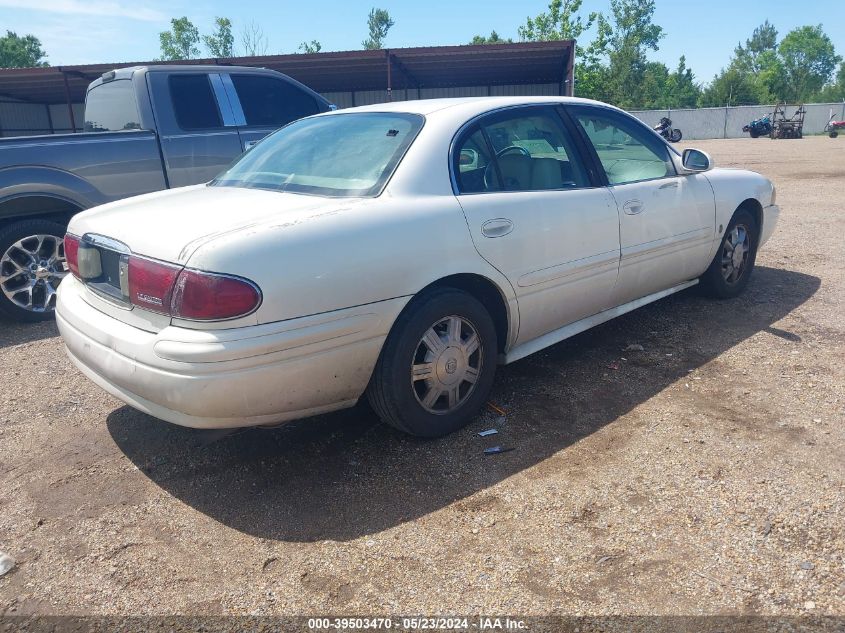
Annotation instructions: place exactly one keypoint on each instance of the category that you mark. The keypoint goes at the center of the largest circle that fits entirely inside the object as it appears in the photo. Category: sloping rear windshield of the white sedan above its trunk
(337, 155)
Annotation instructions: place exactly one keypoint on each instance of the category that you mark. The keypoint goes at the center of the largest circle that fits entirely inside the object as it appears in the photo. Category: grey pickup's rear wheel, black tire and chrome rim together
(32, 263)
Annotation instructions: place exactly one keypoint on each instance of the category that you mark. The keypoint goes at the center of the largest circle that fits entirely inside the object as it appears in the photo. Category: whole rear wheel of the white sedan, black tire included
(430, 379)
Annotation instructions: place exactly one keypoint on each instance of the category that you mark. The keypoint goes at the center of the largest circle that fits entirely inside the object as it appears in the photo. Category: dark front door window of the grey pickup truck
(272, 102)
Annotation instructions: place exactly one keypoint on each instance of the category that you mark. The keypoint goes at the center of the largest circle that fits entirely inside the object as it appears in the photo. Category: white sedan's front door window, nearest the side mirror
(626, 150)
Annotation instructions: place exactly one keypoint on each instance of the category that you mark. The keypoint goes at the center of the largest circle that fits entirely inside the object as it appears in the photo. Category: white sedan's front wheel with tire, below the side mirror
(729, 272)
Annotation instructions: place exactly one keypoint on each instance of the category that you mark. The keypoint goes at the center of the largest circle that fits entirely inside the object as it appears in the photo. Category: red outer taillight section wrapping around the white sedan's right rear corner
(207, 296)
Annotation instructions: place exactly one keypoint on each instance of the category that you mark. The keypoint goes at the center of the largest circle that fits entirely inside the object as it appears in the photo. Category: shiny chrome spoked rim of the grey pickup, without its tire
(30, 272)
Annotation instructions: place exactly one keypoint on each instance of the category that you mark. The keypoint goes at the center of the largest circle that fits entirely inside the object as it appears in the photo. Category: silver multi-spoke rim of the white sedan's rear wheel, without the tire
(446, 365)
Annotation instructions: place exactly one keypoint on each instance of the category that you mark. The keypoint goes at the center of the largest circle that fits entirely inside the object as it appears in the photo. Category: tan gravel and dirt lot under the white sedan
(703, 474)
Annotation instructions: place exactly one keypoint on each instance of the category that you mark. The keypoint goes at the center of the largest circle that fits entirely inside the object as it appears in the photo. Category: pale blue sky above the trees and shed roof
(104, 31)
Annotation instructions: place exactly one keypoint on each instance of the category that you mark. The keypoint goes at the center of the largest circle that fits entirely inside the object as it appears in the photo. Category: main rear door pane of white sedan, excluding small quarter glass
(534, 152)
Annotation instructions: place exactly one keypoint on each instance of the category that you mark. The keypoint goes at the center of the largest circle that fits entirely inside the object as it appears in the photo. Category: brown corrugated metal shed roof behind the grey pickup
(426, 67)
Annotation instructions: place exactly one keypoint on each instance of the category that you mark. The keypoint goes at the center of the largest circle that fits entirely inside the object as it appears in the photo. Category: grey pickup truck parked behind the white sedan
(146, 129)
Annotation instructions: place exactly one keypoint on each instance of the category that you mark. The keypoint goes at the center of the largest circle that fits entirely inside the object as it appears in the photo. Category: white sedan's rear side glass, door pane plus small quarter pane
(528, 150)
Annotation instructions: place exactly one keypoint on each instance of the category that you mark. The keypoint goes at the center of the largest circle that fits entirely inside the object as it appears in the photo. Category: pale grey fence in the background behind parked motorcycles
(705, 123)
